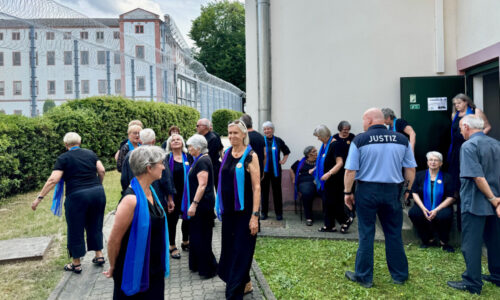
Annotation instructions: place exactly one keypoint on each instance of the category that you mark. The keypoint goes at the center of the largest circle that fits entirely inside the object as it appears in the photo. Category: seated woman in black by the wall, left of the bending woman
(303, 179)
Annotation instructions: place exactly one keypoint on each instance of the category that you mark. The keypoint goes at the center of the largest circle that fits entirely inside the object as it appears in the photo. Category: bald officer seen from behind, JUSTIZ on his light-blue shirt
(375, 160)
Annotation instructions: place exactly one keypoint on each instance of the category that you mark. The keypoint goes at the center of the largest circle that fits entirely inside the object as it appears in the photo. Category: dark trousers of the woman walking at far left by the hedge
(84, 211)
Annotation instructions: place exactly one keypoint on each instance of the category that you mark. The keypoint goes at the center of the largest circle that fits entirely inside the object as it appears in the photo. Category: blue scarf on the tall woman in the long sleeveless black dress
(238, 182)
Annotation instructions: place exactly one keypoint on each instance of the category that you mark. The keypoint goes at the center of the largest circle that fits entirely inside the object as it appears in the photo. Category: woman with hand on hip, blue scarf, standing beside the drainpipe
(272, 170)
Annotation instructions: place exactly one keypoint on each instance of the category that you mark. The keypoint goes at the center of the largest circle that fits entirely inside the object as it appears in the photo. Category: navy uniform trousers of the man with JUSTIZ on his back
(380, 199)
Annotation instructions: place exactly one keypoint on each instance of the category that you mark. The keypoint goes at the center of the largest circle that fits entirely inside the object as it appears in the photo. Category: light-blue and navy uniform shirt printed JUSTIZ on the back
(379, 154)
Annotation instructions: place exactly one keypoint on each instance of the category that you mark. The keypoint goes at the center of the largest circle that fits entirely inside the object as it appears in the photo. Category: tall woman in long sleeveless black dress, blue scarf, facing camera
(238, 197)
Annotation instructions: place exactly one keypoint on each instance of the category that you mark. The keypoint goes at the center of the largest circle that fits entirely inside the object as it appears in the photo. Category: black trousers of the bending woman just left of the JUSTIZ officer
(333, 203)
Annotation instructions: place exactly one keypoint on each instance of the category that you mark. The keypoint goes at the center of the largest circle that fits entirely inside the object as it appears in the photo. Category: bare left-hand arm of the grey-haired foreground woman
(123, 218)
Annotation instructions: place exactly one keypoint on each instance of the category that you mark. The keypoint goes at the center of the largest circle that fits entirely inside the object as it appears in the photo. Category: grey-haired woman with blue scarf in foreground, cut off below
(138, 241)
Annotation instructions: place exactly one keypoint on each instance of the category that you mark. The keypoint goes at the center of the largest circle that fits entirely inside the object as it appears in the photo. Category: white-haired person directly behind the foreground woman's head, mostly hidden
(164, 187)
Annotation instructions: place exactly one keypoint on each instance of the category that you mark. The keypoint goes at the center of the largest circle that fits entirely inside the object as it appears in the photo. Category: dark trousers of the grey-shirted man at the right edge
(475, 231)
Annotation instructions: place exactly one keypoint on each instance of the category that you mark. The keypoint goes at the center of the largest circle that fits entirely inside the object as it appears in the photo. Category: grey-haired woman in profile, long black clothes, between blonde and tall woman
(201, 208)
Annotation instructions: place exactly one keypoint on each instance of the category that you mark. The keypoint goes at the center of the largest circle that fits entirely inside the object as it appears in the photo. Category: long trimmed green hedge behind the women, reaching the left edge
(29, 146)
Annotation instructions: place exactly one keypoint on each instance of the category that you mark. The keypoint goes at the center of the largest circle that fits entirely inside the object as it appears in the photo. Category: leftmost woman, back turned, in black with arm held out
(83, 174)
